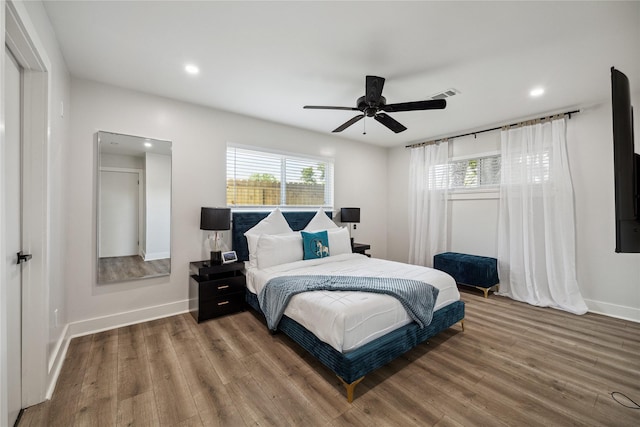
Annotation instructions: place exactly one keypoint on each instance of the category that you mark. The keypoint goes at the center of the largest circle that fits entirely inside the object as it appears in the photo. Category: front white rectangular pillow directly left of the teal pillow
(278, 249)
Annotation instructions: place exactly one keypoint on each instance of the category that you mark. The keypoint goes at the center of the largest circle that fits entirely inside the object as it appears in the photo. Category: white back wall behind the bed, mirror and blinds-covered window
(199, 137)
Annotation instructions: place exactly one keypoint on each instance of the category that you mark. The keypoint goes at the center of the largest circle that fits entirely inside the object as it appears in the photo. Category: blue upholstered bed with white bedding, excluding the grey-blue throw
(374, 330)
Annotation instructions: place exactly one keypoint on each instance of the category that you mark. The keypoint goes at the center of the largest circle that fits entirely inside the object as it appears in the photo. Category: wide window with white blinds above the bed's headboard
(263, 178)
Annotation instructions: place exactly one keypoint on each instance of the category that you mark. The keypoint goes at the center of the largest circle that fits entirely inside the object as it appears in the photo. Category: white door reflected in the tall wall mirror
(118, 214)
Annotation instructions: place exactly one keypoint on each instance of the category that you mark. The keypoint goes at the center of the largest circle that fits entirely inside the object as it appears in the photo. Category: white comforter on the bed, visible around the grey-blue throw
(348, 320)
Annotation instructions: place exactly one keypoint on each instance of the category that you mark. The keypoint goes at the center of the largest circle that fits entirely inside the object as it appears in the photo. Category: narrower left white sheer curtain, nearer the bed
(428, 189)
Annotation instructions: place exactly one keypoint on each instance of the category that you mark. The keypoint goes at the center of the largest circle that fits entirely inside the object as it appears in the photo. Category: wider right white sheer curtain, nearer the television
(536, 234)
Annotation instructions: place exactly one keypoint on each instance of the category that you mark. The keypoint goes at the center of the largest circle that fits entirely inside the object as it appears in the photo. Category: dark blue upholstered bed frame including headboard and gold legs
(350, 367)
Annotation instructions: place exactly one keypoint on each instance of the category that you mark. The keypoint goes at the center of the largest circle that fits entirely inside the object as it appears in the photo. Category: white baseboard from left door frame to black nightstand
(105, 323)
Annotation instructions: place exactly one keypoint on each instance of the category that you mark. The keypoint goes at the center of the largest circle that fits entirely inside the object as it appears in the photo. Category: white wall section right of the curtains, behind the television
(610, 282)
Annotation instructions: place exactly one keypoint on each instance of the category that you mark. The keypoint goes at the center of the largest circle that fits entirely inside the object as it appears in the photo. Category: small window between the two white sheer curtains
(474, 172)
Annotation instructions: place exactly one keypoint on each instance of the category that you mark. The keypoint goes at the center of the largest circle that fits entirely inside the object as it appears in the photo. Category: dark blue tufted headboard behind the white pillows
(243, 221)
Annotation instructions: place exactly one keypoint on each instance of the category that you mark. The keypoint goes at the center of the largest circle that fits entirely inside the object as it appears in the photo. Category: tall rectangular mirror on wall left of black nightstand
(134, 207)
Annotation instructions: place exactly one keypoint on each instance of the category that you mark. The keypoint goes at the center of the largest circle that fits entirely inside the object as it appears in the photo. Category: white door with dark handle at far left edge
(13, 215)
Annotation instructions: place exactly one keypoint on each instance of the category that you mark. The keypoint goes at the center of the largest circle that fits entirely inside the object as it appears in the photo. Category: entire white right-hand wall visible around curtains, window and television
(609, 282)
